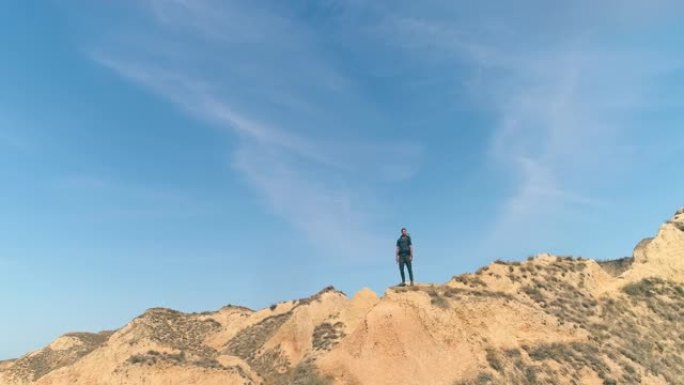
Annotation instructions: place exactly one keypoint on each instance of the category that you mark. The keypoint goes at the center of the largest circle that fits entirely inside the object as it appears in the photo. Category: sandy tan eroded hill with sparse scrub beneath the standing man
(548, 320)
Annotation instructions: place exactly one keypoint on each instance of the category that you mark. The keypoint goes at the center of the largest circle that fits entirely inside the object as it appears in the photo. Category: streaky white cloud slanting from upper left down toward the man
(306, 174)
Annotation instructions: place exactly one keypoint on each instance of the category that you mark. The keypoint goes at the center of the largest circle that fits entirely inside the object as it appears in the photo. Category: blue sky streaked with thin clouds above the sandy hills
(194, 154)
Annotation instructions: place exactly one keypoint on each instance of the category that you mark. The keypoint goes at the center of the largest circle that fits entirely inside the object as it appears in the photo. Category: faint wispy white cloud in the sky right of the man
(563, 98)
